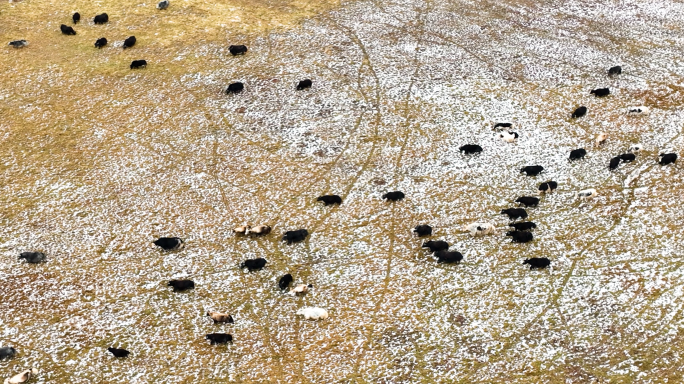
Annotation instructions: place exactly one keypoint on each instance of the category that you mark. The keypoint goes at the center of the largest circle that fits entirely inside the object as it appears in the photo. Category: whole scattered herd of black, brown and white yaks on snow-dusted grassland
(521, 230)
